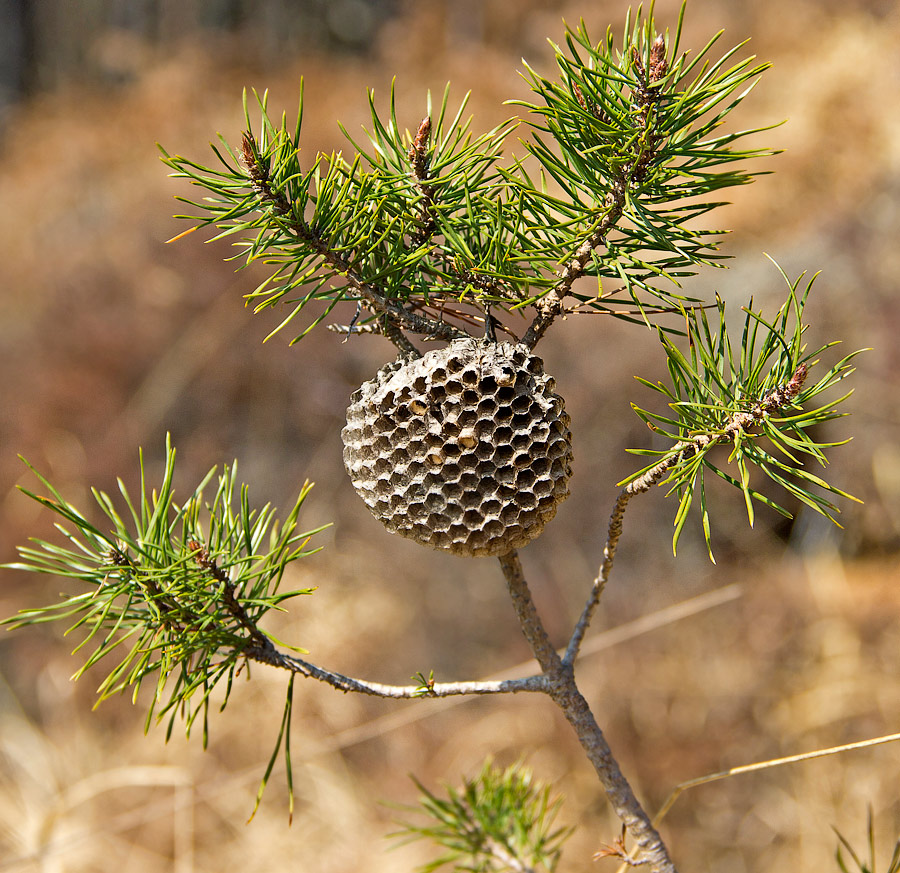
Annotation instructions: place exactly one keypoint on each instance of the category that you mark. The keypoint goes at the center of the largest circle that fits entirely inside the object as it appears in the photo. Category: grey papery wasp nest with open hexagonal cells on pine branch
(466, 449)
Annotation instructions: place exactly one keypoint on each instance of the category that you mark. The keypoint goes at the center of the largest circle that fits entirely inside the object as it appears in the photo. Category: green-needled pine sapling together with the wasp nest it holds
(444, 236)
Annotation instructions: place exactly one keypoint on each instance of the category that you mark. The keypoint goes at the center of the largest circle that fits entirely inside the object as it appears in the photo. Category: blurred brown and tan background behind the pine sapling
(109, 338)
